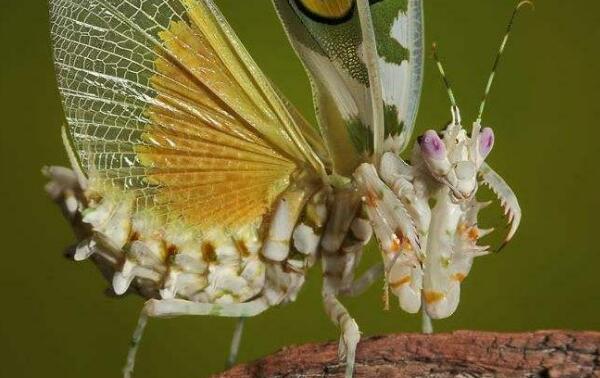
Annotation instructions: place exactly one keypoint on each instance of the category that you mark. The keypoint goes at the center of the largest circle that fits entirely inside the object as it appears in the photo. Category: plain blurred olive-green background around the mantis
(56, 322)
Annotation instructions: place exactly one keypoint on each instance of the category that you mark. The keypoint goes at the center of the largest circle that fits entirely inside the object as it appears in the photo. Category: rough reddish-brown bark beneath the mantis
(459, 354)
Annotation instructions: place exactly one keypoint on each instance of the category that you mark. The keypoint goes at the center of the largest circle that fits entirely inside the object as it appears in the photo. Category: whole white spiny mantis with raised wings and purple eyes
(196, 184)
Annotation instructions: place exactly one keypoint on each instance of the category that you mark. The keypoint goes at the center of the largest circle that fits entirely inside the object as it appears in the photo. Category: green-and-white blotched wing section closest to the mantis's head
(399, 33)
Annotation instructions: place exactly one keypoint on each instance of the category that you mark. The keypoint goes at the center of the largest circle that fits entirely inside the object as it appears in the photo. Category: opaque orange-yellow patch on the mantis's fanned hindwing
(223, 176)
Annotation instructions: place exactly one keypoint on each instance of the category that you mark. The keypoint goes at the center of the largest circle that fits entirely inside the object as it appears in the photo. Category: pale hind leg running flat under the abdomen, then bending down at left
(177, 307)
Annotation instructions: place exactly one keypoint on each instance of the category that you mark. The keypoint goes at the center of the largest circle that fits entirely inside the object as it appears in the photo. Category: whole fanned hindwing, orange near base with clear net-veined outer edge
(163, 101)
